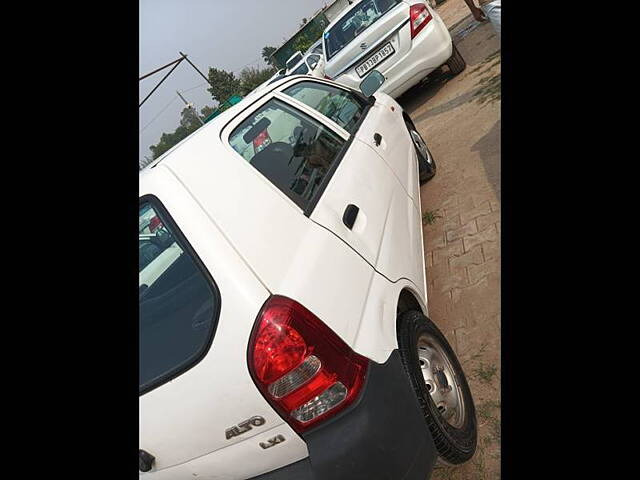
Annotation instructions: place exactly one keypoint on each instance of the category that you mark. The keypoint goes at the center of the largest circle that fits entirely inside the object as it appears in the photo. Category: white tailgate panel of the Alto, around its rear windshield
(187, 417)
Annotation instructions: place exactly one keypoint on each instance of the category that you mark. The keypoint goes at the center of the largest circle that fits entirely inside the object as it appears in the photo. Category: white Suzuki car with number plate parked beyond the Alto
(403, 39)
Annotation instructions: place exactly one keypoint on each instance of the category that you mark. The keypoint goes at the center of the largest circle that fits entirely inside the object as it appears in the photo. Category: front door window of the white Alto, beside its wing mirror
(339, 105)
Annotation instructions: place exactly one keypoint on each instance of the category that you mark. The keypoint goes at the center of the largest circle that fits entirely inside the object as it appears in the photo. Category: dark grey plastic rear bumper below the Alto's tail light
(382, 436)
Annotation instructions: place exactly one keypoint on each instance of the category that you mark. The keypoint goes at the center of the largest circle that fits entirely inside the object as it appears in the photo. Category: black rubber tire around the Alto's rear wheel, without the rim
(455, 444)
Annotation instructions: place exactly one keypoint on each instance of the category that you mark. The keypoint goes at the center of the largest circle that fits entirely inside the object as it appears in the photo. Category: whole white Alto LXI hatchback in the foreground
(286, 336)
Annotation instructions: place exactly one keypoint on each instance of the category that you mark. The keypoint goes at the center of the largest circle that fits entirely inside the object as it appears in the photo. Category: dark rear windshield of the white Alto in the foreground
(178, 305)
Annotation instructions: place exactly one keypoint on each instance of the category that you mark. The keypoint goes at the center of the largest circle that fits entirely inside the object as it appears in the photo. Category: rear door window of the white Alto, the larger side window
(291, 149)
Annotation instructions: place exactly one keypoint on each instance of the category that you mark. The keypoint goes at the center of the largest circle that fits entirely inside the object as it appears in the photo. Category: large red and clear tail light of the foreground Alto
(303, 369)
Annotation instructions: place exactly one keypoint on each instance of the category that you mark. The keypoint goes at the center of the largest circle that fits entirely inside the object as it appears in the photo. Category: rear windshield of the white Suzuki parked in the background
(354, 23)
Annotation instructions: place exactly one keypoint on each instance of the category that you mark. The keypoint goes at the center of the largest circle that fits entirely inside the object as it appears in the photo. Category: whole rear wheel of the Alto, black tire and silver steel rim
(440, 385)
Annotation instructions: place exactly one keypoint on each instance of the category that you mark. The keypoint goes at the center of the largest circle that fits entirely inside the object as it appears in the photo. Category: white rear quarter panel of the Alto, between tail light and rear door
(285, 249)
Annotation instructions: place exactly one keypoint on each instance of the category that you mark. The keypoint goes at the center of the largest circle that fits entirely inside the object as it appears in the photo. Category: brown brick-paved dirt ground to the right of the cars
(459, 119)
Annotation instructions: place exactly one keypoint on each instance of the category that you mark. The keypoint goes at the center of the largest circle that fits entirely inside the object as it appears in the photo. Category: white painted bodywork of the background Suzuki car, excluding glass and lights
(413, 59)
